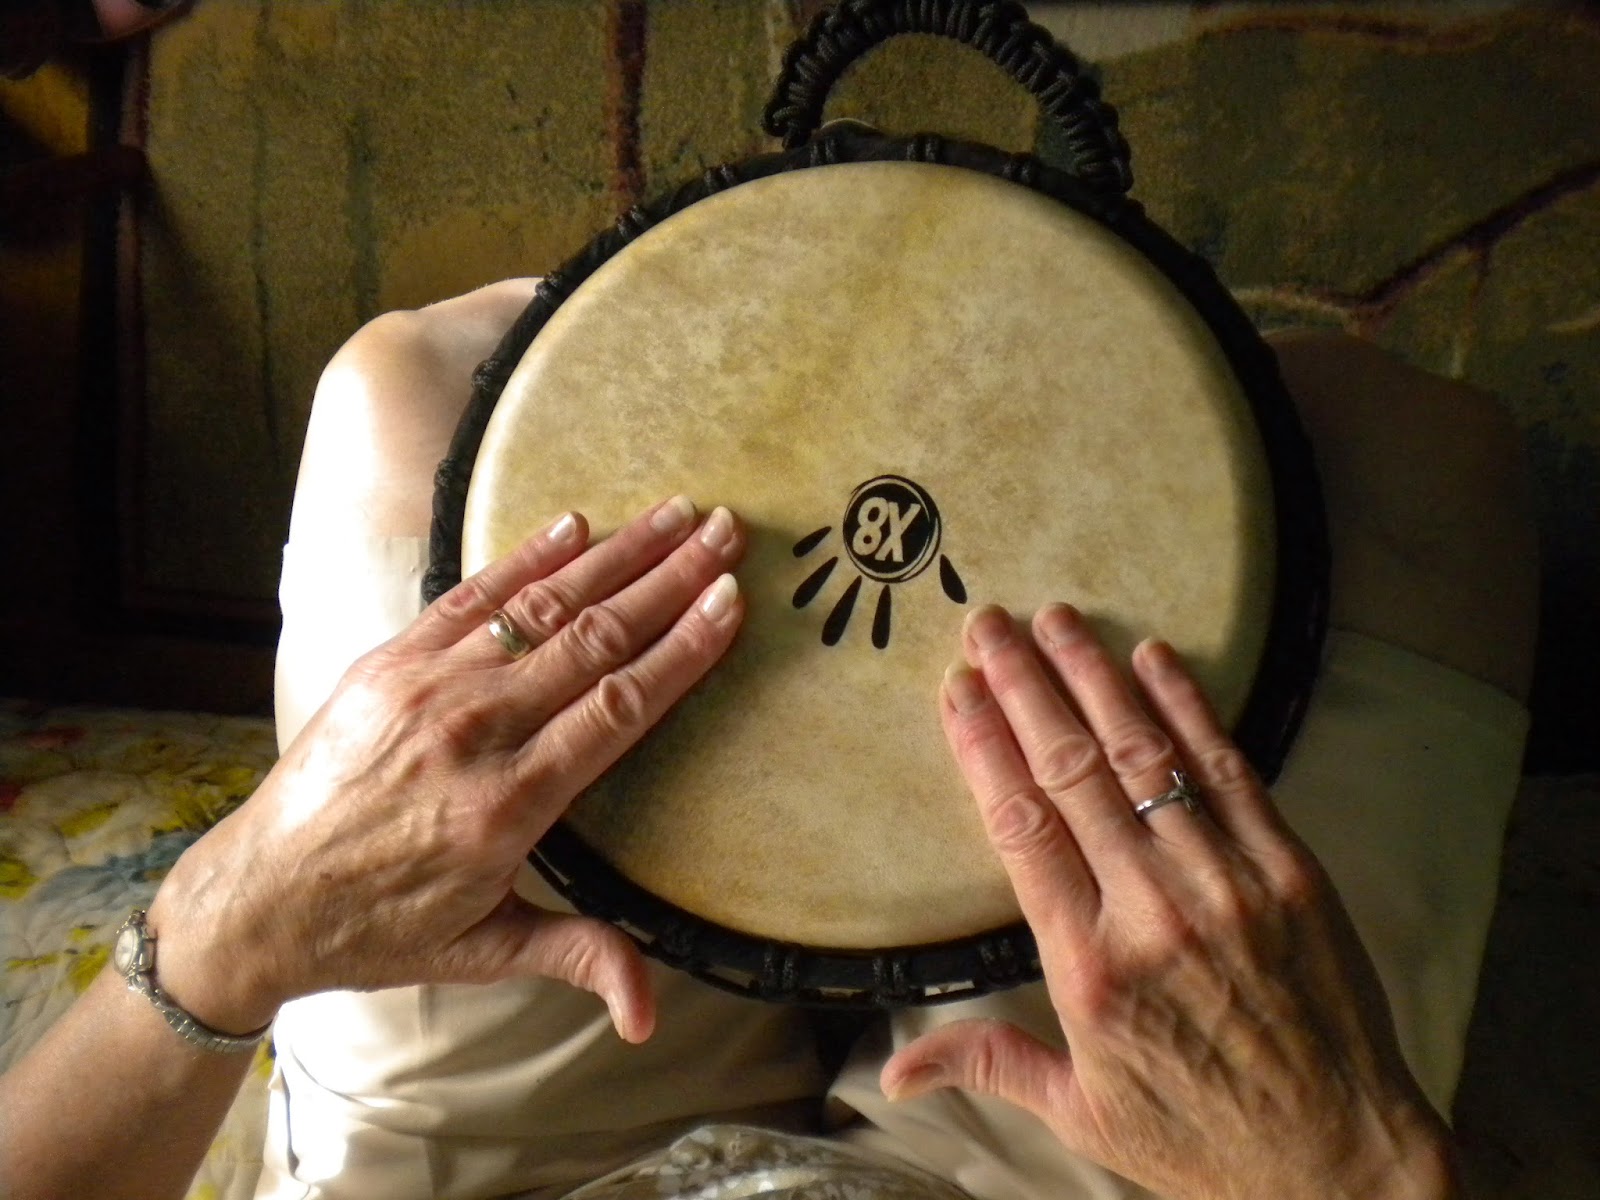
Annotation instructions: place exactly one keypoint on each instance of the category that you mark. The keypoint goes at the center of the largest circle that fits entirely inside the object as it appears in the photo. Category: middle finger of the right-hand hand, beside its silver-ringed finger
(1065, 759)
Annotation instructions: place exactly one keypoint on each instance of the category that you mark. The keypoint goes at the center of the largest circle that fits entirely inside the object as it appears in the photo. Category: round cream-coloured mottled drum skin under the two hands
(836, 354)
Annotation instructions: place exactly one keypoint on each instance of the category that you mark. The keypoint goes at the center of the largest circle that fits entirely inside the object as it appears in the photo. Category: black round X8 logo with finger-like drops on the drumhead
(892, 532)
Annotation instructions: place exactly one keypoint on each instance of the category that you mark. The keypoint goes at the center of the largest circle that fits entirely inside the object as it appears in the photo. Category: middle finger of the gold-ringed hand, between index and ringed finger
(610, 631)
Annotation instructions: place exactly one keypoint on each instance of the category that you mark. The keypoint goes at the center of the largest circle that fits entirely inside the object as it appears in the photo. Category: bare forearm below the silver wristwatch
(111, 1103)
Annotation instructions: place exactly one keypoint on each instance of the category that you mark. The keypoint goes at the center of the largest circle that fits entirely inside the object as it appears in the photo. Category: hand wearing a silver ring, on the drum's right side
(1225, 1031)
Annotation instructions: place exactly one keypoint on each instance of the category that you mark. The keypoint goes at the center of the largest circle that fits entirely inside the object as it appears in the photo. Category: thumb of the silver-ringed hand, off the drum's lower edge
(991, 1058)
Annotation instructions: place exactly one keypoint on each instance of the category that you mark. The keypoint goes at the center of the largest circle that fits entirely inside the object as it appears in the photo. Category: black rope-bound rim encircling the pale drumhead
(1006, 958)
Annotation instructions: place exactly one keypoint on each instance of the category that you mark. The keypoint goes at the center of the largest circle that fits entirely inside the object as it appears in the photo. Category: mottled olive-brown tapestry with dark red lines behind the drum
(1426, 177)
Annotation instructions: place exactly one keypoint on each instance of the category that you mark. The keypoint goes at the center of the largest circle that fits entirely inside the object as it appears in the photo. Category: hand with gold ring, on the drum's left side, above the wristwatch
(383, 847)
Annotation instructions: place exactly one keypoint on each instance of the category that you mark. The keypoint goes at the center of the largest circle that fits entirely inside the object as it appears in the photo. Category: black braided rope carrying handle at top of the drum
(996, 28)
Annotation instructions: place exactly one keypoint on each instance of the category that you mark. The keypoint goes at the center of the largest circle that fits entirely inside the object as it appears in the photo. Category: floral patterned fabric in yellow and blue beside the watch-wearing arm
(95, 809)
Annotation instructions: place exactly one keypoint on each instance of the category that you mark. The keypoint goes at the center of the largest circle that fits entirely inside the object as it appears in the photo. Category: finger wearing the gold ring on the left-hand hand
(546, 606)
